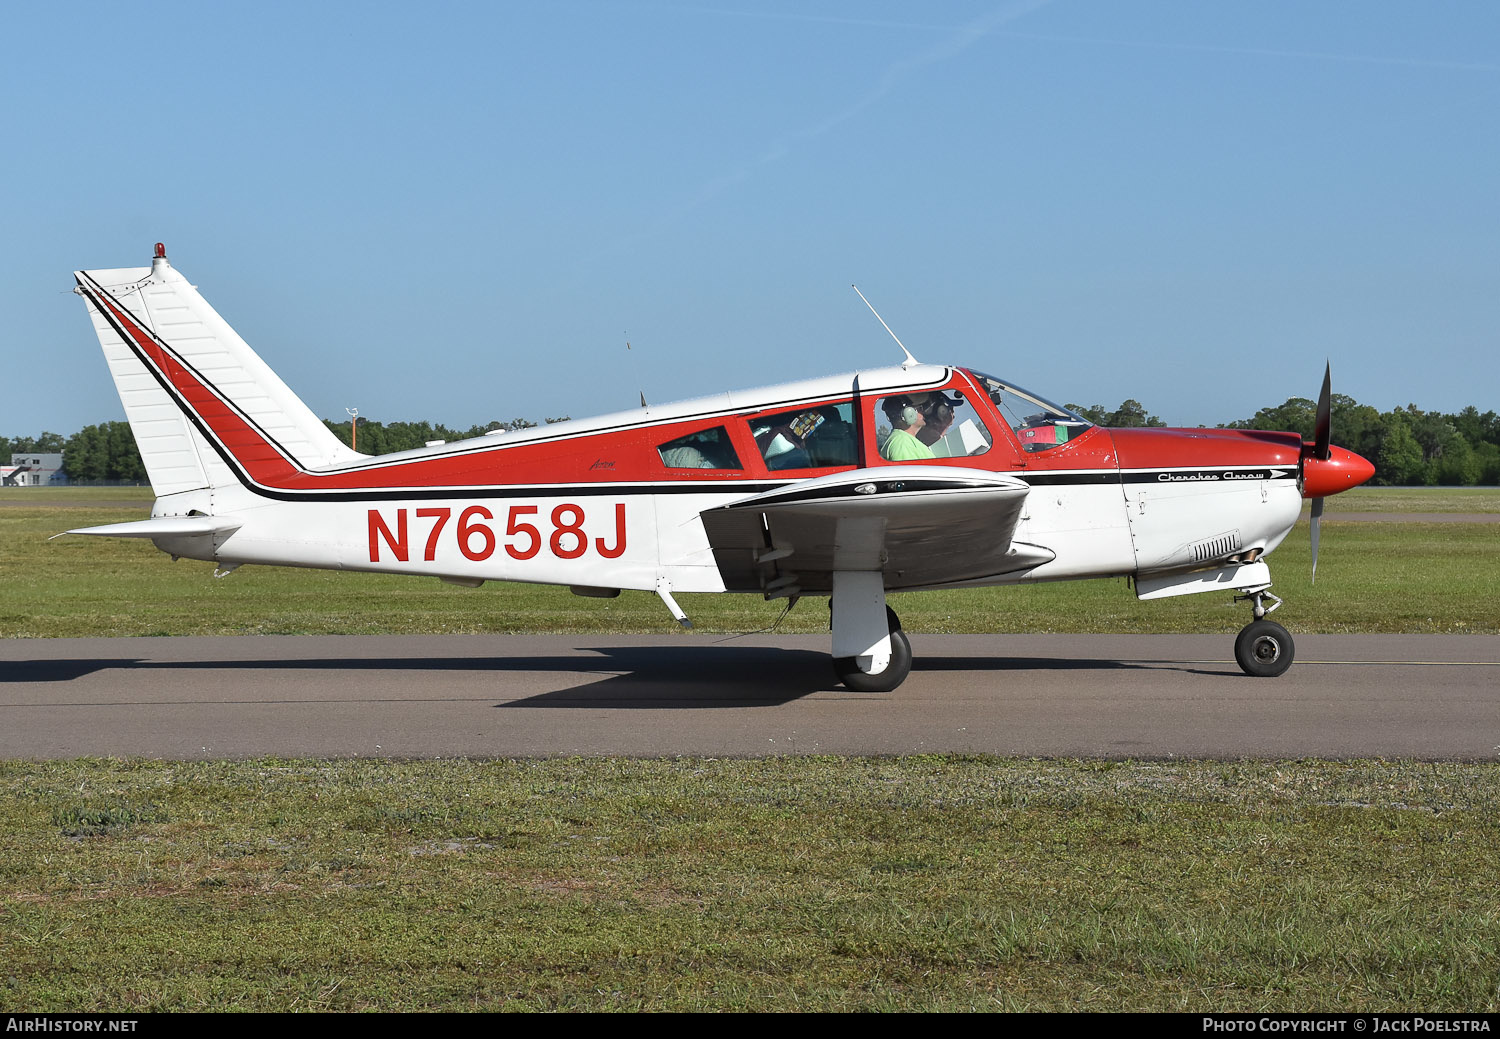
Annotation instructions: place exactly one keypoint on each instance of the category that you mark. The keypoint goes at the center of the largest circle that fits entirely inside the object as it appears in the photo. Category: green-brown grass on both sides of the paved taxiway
(811, 884)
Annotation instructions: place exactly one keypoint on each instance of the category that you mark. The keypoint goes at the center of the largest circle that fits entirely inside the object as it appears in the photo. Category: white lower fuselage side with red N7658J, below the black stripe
(628, 540)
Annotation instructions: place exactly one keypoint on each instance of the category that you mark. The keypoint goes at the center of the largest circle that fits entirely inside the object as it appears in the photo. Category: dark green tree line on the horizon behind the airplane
(1408, 446)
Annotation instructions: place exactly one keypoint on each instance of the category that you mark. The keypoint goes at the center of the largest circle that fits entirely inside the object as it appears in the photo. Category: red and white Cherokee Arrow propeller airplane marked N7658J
(853, 487)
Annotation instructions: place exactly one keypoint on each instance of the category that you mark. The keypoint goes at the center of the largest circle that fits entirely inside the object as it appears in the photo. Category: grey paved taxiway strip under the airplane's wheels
(499, 696)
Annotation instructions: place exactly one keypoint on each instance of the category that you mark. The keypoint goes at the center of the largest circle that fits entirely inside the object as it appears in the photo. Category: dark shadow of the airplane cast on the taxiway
(629, 677)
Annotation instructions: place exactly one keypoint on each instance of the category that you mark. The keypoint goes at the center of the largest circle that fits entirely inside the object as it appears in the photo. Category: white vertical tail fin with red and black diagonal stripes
(169, 352)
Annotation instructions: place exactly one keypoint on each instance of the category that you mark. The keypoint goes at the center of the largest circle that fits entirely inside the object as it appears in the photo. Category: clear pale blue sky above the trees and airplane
(460, 212)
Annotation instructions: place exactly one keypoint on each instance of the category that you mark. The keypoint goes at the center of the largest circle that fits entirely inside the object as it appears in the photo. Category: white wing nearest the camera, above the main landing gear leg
(920, 525)
